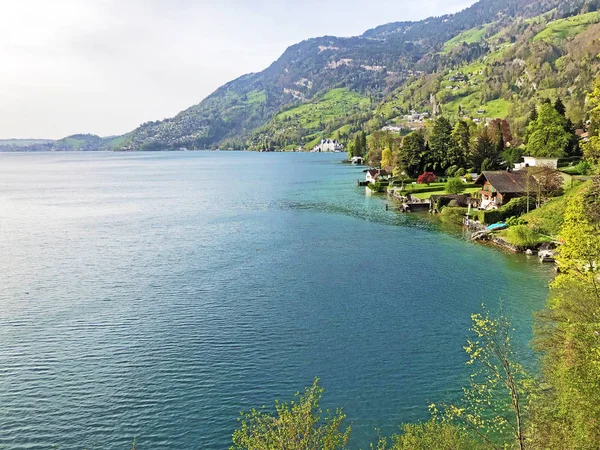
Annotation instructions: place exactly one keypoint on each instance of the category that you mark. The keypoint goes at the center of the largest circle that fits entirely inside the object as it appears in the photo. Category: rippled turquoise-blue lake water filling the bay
(158, 295)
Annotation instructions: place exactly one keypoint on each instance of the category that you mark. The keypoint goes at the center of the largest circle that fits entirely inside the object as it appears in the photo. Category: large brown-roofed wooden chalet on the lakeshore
(500, 187)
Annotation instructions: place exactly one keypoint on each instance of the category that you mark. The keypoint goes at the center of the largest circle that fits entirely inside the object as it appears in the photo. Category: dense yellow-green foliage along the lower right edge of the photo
(566, 414)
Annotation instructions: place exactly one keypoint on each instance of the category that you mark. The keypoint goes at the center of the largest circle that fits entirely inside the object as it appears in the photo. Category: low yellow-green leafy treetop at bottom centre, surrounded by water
(294, 426)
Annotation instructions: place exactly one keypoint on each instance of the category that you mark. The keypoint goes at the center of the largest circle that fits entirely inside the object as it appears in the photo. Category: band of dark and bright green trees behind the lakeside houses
(464, 147)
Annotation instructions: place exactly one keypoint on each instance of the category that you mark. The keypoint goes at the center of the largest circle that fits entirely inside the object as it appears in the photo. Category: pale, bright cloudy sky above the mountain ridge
(106, 66)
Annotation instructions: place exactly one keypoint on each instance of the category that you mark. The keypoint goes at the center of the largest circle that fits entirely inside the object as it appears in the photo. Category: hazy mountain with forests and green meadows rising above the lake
(507, 55)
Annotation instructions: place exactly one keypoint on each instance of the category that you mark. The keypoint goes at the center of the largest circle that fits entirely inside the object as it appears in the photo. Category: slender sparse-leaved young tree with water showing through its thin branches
(499, 385)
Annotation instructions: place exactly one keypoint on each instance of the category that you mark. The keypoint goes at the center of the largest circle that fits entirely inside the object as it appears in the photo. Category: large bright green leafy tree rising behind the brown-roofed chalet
(547, 136)
